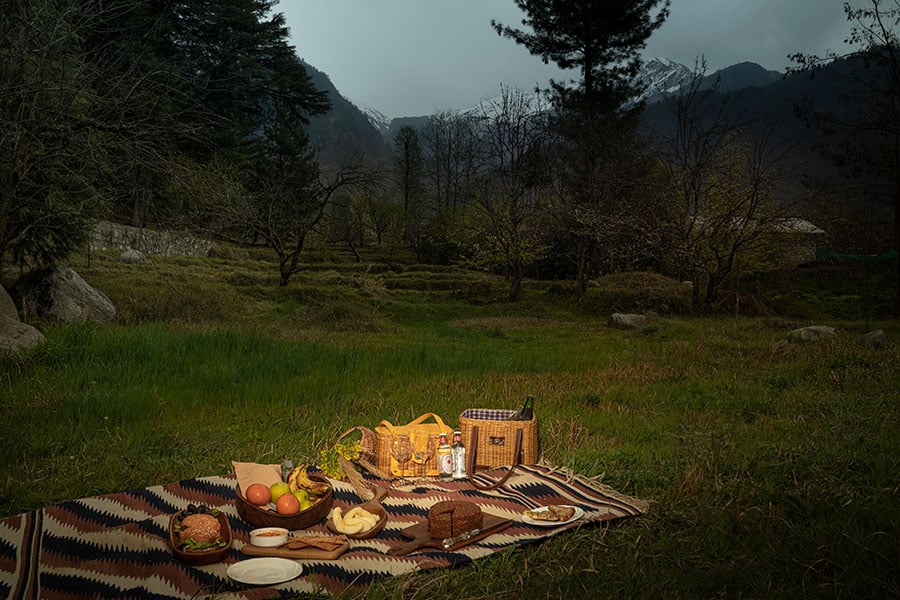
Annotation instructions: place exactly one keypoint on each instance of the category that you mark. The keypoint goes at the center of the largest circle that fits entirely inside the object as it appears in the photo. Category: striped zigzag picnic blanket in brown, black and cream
(114, 546)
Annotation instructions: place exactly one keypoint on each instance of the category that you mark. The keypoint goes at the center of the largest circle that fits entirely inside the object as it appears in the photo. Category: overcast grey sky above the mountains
(414, 57)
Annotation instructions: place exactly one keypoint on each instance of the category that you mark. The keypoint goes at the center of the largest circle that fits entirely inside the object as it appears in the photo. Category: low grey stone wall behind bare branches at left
(112, 236)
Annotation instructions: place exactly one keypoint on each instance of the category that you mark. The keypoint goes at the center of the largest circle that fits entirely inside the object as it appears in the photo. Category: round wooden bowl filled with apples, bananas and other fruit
(301, 501)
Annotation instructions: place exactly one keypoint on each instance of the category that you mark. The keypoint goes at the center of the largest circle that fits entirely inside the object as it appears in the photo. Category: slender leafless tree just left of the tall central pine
(513, 131)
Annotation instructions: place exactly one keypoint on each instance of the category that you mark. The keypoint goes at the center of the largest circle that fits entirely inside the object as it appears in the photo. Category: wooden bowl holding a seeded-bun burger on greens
(199, 535)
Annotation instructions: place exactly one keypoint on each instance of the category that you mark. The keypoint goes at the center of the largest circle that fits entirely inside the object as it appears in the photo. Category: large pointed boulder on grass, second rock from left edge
(60, 294)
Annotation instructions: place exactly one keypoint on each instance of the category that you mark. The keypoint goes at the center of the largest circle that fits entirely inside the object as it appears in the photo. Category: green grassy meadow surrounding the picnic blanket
(771, 467)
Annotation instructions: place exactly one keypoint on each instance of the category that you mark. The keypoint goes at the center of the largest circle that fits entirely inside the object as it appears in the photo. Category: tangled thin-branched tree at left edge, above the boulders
(73, 122)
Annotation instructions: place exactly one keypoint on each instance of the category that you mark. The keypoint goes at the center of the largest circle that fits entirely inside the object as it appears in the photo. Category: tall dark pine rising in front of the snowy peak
(595, 119)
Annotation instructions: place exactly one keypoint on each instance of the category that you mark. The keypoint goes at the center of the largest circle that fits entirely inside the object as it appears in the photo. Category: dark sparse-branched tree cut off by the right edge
(869, 157)
